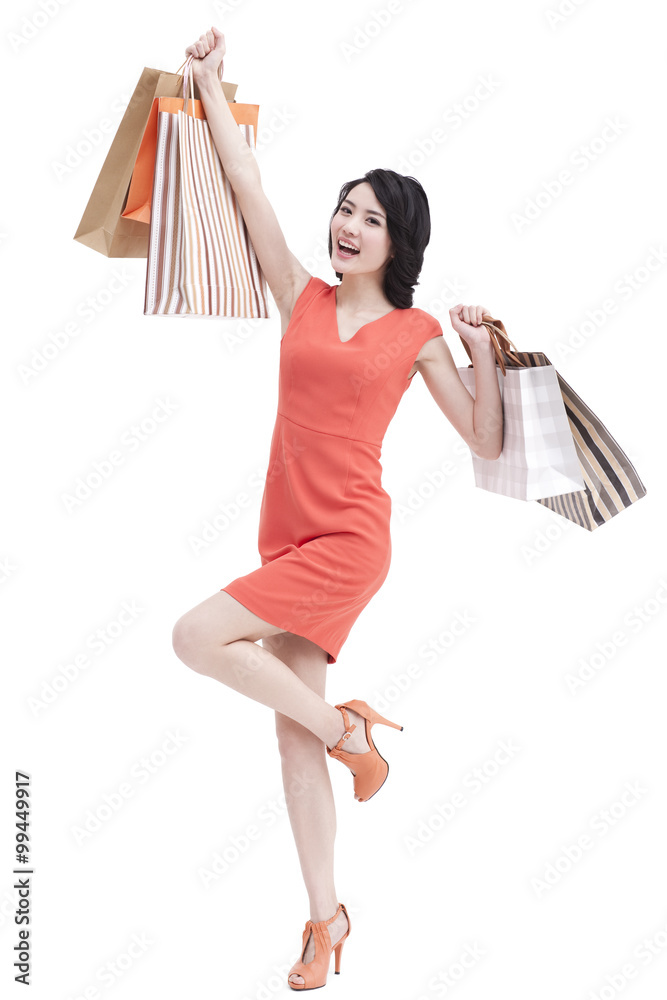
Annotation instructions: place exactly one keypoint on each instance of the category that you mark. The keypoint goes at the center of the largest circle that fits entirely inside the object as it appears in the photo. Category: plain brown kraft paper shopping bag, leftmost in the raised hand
(102, 226)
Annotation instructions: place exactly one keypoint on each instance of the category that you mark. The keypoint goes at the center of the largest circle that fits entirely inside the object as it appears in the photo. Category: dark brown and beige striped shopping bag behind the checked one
(610, 480)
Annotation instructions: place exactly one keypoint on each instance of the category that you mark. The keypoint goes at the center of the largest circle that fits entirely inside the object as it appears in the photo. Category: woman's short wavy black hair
(409, 226)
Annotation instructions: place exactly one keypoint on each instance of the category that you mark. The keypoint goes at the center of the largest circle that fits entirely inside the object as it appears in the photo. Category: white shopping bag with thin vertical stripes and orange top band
(200, 257)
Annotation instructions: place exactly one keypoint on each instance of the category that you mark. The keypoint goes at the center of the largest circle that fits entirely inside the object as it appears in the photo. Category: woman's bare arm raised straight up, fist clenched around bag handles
(285, 275)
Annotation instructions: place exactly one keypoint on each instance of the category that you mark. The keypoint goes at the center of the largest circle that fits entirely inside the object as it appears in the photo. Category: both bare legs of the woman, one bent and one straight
(218, 638)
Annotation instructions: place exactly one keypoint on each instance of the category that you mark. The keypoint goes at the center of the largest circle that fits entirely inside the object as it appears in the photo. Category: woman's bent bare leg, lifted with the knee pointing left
(218, 638)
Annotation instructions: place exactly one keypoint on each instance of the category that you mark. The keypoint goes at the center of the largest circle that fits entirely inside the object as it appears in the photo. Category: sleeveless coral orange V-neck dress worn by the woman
(324, 538)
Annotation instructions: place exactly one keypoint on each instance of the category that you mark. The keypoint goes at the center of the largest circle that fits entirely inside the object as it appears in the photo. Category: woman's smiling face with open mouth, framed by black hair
(361, 221)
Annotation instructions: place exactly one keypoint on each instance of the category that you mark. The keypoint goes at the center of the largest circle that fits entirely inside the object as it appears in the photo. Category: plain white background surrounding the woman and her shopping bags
(540, 595)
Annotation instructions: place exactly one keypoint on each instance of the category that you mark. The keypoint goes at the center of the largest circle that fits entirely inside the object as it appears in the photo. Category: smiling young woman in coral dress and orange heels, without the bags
(347, 355)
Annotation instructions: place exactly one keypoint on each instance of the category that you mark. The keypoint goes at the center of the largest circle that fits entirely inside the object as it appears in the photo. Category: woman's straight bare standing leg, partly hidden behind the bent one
(308, 792)
